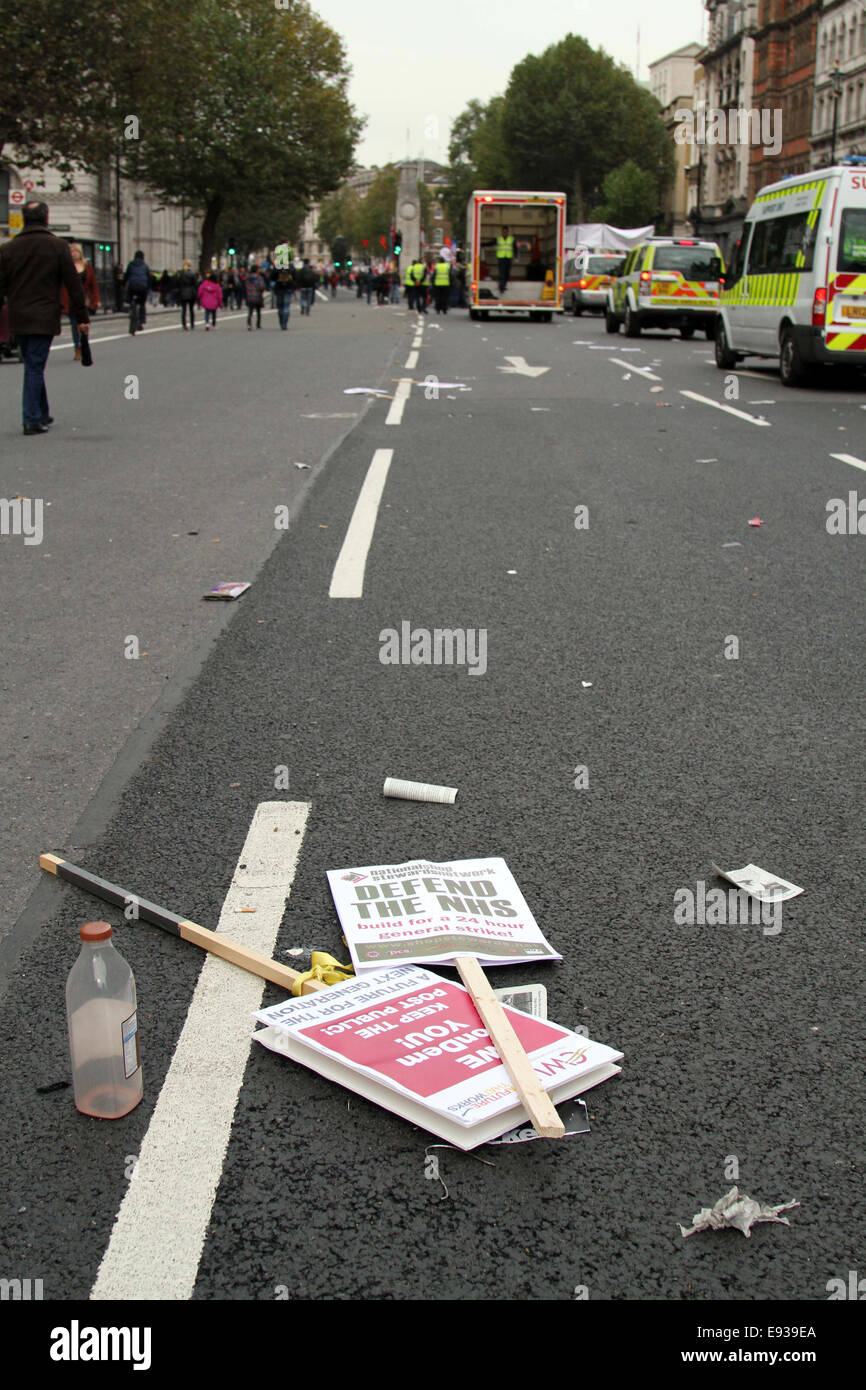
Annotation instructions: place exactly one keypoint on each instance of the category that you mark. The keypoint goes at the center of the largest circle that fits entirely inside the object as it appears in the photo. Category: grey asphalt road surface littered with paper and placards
(605, 650)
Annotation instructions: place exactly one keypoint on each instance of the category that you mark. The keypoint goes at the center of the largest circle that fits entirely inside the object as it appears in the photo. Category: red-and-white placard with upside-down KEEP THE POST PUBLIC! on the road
(415, 1045)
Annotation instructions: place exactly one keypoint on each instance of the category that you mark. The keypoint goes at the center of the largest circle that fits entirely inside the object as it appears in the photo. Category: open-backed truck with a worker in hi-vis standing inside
(537, 224)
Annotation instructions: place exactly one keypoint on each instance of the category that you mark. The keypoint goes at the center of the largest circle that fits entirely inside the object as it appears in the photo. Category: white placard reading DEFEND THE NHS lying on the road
(434, 913)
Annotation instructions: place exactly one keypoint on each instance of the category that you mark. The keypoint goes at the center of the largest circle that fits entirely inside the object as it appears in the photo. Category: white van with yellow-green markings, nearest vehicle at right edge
(796, 288)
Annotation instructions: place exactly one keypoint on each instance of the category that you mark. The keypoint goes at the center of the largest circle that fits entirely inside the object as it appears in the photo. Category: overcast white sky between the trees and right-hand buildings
(415, 66)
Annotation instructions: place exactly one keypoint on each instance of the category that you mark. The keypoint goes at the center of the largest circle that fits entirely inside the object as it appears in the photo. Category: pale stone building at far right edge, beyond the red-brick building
(840, 83)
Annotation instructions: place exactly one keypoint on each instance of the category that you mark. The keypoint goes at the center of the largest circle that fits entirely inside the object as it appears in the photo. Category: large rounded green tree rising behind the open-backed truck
(572, 116)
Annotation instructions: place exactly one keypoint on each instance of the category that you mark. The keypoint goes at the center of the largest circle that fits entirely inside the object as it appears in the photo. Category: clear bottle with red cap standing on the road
(104, 1028)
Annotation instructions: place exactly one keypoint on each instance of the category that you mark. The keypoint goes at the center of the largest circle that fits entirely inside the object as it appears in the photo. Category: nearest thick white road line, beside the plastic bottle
(159, 1235)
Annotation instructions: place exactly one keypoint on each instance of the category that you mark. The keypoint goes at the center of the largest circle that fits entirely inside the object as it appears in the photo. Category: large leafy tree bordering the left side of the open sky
(244, 98)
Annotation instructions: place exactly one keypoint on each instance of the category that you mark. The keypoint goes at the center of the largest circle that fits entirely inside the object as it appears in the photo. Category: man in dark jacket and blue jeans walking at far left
(33, 269)
